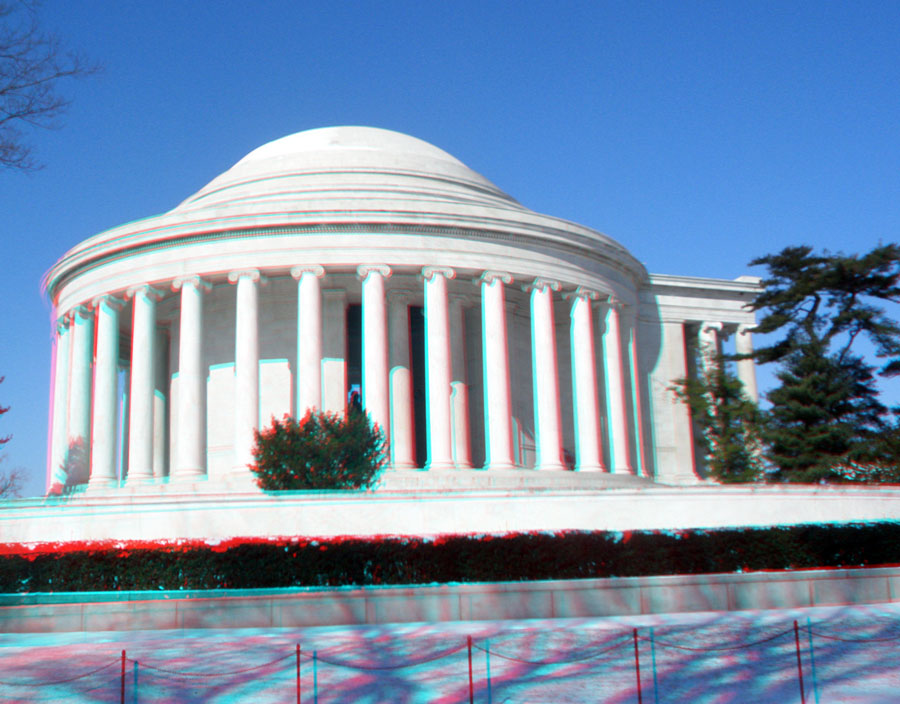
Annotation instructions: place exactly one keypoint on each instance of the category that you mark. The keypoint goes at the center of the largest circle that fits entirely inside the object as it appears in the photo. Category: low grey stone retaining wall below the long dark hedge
(305, 607)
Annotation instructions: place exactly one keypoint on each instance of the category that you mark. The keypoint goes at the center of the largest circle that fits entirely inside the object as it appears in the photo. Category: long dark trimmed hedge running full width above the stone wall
(289, 562)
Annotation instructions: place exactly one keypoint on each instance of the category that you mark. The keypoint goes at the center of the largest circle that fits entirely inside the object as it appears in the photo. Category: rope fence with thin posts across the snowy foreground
(325, 657)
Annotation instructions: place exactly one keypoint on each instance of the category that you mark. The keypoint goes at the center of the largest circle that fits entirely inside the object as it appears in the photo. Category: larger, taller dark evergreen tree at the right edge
(825, 416)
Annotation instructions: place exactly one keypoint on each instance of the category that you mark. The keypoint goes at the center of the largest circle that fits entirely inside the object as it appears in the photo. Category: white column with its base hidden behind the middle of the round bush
(308, 371)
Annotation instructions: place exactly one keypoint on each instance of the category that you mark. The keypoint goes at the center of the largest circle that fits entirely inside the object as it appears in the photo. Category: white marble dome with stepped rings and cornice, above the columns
(354, 179)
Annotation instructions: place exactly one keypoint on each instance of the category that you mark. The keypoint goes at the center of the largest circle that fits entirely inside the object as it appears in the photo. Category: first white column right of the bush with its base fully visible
(437, 368)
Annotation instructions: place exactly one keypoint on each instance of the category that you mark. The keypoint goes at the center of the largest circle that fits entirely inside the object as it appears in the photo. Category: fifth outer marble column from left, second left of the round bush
(191, 429)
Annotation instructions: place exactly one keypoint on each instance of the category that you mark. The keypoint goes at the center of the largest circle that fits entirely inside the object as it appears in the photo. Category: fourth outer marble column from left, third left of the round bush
(141, 394)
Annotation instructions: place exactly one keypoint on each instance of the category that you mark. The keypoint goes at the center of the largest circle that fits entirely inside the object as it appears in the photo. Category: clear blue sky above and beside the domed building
(699, 135)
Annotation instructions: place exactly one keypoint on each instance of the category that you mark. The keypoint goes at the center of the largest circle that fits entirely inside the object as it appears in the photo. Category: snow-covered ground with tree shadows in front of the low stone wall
(848, 654)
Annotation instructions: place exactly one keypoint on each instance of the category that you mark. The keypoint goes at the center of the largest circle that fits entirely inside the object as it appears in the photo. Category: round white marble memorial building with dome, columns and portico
(481, 336)
